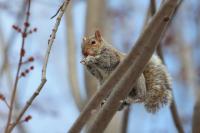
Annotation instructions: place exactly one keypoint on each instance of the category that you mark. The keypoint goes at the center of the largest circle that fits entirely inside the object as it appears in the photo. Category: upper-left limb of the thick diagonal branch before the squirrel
(119, 72)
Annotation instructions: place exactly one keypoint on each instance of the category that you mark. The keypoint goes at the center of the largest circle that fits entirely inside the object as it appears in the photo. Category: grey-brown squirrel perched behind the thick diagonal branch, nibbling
(153, 87)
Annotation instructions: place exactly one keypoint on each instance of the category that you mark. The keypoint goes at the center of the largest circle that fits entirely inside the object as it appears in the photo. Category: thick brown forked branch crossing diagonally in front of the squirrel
(157, 26)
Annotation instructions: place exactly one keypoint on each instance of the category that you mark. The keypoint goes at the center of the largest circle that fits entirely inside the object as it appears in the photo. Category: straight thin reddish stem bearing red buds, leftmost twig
(18, 69)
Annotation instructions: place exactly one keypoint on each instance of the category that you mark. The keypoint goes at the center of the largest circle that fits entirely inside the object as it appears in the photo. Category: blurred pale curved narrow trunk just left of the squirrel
(71, 57)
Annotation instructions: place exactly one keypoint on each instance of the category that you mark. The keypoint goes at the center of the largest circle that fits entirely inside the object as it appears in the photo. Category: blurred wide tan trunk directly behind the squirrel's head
(94, 20)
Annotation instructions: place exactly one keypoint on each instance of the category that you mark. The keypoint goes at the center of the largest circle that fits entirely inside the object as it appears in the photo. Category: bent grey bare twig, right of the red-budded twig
(43, 78)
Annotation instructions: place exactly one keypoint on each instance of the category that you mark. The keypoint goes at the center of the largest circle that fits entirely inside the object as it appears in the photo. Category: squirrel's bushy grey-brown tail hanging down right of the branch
(158, 84)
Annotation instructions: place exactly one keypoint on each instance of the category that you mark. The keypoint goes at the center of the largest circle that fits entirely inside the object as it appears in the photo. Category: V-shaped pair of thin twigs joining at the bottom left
(10, 126)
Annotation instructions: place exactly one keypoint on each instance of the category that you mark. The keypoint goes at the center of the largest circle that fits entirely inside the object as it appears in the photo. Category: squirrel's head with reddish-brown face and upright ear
(91, 45)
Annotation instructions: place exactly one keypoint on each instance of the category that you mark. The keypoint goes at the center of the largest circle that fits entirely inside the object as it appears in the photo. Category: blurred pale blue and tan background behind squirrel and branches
(69, 86)
